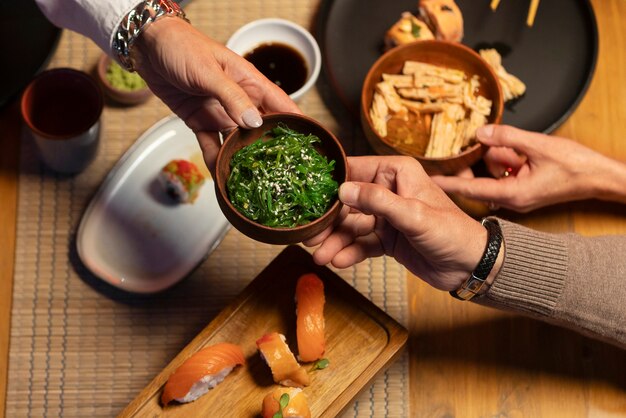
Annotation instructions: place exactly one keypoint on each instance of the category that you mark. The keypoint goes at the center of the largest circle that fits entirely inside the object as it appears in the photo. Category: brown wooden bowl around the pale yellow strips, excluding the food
(447, 54)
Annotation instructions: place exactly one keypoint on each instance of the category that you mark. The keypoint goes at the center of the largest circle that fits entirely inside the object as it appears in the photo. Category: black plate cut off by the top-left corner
(28, 41)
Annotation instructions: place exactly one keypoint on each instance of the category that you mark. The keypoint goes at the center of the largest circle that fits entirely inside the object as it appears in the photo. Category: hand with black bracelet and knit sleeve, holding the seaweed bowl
(393, 208)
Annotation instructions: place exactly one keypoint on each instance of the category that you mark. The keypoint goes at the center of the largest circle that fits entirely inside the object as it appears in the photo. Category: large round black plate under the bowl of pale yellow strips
(556, 57)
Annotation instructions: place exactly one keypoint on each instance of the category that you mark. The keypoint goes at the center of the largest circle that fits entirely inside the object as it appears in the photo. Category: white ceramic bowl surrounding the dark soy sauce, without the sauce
(272, 30)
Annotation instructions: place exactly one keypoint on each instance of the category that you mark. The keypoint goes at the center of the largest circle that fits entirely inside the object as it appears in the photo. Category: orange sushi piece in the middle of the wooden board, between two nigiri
(285, 368)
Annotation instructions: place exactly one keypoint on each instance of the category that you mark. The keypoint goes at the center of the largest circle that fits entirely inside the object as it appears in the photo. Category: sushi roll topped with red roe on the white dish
(182, 180)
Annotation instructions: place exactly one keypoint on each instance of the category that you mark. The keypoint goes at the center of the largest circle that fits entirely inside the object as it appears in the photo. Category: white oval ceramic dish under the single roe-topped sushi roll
(133, 235)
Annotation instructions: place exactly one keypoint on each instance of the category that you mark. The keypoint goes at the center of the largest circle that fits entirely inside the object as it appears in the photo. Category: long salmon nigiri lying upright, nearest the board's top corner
(310, 317)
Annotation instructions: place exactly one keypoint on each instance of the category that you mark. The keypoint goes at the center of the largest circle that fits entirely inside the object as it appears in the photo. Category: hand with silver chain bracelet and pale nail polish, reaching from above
(208, 86)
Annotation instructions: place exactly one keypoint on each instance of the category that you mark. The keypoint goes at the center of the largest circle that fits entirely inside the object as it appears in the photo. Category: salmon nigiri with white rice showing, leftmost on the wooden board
(201, 372)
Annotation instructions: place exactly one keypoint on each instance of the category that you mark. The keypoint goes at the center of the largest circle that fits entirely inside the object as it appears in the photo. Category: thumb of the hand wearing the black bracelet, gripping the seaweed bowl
(374, 199)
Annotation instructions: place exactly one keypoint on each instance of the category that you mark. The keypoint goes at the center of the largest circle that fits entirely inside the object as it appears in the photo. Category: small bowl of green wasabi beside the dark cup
(120, 85)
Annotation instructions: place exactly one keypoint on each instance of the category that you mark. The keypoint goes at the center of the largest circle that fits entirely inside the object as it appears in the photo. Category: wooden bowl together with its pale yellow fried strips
(426, 99)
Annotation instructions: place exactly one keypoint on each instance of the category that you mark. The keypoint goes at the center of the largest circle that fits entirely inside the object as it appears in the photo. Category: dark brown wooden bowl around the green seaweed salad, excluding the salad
(239, 138)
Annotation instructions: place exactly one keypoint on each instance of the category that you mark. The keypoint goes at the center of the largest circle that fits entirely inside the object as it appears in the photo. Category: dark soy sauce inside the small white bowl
(280, 63)
